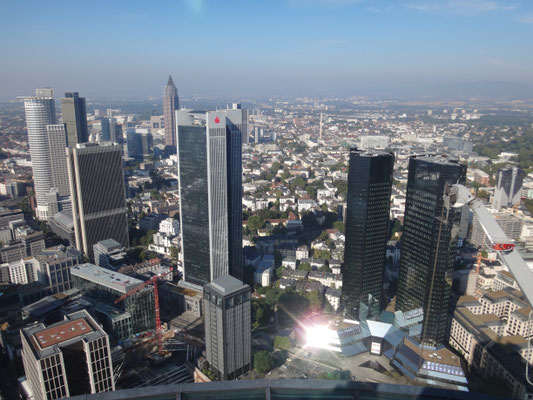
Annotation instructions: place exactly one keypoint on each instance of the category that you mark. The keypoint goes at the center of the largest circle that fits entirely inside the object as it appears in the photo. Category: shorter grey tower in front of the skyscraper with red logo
(228, 331)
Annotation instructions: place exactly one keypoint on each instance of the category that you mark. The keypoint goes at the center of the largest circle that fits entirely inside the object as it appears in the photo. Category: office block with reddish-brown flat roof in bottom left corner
(69, 358)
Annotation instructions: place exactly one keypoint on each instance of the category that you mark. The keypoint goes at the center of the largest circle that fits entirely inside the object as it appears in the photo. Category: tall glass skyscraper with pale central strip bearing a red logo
(210, 178)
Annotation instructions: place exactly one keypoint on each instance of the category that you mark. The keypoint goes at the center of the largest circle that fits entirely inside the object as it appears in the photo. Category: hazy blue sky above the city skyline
(445, 48)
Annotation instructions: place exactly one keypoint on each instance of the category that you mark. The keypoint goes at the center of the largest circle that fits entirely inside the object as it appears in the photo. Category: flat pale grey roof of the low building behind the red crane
(105, 277)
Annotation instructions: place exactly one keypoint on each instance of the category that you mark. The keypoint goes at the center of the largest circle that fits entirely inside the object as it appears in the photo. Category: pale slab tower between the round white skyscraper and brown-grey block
(57, 140)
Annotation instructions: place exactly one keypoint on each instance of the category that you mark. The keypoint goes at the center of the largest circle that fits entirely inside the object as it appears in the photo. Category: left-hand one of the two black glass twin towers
(367, 229)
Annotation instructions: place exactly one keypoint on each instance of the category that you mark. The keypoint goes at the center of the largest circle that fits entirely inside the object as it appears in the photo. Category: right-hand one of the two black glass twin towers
(428, 243)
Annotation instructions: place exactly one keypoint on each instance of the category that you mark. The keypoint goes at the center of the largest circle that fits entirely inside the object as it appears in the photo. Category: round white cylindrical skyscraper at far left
(40, 112)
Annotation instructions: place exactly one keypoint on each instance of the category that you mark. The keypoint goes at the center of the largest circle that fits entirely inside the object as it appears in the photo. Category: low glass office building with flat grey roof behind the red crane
(105, 286)
